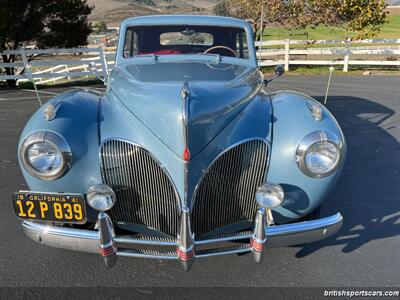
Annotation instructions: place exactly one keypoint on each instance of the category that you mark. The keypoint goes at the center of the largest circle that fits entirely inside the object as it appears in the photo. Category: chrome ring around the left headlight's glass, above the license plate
(55, 140)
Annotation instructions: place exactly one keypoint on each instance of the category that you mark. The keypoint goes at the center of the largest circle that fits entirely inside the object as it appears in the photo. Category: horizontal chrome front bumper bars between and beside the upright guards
(88, 240)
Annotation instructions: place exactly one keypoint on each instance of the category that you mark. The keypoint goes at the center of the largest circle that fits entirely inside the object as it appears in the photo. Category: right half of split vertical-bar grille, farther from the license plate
(226, 193)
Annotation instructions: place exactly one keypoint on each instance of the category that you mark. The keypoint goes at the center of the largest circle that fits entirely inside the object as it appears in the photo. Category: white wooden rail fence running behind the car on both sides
(285, 52)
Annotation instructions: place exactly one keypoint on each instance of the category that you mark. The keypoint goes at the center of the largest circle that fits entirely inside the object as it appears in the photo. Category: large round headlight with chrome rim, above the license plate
(45, 155)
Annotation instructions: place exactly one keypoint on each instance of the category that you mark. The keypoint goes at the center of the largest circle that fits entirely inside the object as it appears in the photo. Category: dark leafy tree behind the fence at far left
(45, 23)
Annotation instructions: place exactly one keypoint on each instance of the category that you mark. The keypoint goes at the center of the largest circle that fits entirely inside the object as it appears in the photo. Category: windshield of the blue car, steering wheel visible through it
(185, 39)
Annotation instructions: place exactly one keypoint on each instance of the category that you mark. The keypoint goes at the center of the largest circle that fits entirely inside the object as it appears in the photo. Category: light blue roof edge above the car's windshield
(184, 20)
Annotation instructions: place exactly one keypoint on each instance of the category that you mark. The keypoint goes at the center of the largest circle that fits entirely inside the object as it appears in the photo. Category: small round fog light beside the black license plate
(100, 197)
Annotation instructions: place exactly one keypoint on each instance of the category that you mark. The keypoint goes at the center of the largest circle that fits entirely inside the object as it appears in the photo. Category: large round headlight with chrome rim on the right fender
(319, 154)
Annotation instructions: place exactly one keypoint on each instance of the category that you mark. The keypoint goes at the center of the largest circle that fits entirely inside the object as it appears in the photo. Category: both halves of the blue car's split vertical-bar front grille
(146, 195)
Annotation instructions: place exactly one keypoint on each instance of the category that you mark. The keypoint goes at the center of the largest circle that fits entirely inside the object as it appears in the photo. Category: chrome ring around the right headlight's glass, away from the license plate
(314, 138)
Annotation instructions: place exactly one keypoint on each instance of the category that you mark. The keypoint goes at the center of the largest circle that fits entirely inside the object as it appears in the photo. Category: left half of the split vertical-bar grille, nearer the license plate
(145, 194)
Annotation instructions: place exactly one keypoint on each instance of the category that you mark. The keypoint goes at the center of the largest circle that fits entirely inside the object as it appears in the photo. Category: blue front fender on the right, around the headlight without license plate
(292, 121)
